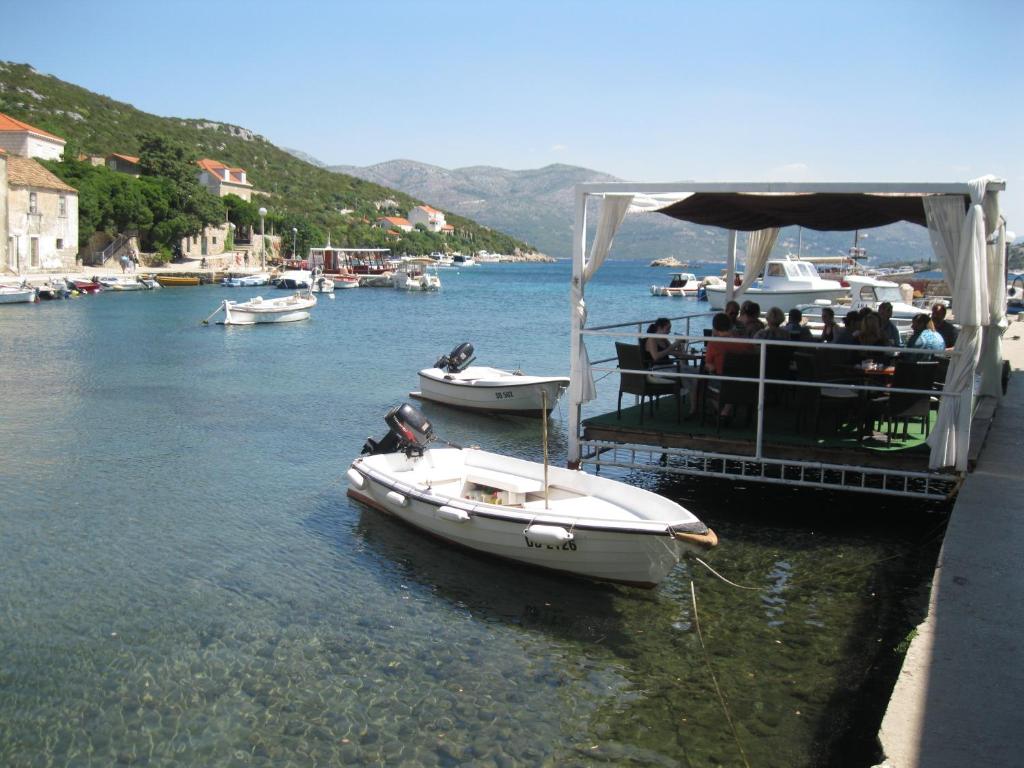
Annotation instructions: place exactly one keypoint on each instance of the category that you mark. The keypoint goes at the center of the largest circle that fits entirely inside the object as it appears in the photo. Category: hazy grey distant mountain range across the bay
(537, 206)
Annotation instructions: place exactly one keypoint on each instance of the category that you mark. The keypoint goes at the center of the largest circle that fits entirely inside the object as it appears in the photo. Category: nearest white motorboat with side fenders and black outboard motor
(549, 518)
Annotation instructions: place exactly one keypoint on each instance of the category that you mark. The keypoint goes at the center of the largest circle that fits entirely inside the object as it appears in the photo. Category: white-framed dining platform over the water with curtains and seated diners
(843, 417)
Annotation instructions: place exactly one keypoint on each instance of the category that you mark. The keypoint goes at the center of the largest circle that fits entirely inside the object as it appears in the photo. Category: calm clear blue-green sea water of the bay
(184, 581)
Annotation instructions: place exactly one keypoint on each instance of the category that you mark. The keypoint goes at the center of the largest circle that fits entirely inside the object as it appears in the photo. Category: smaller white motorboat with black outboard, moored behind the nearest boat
(454, 381)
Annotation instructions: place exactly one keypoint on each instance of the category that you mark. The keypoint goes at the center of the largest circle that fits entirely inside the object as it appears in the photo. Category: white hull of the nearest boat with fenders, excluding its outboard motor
(628, 552)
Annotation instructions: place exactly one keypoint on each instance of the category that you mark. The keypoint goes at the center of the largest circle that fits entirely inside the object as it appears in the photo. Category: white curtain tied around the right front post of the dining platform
(959, 242)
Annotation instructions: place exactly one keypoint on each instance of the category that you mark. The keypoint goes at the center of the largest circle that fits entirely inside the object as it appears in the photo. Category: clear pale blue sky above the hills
(904, 91)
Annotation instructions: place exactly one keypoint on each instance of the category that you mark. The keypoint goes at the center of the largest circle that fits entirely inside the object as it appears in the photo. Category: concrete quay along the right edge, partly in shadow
(960, 697)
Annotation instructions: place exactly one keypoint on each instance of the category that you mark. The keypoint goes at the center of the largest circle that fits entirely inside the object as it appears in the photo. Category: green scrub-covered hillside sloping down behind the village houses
(295, 191)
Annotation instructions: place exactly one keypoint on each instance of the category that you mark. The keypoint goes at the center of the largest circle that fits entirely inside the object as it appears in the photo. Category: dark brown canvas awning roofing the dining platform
(822, 211)
